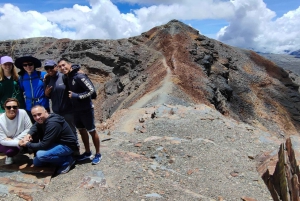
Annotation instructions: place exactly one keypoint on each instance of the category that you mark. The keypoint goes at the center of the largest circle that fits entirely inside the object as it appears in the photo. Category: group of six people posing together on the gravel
(26, 123)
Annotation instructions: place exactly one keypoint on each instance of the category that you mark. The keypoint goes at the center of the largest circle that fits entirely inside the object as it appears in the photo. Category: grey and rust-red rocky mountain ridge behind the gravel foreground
(174, 64)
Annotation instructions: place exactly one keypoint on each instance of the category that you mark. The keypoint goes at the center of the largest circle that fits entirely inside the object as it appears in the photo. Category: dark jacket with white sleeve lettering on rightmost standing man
(82, 89)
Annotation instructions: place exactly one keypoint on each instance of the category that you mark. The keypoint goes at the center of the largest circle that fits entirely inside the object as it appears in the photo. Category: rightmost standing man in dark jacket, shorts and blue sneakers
(80, 92)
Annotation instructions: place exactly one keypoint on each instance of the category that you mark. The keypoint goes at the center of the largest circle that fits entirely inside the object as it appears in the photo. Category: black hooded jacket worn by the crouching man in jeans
(55, 130)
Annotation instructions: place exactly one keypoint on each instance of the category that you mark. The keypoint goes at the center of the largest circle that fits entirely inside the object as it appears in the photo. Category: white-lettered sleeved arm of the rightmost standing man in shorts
(86, 84)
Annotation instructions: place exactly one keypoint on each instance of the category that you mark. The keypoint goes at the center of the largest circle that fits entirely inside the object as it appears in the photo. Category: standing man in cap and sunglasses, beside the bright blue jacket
(56, 90)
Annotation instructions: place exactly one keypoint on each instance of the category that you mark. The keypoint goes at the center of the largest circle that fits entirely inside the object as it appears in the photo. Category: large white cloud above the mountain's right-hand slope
(253, 26)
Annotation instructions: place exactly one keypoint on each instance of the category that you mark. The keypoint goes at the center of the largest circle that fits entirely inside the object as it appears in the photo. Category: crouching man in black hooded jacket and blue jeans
(56, 141)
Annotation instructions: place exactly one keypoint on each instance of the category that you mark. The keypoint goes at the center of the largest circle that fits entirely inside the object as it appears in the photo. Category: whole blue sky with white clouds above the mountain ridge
(262, 25)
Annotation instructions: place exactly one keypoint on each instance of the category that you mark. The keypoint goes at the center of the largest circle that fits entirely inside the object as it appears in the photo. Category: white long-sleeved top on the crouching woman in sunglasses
(23, 123)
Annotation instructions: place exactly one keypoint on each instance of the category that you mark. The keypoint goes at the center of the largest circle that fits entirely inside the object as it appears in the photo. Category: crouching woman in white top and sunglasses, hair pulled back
(14, 125)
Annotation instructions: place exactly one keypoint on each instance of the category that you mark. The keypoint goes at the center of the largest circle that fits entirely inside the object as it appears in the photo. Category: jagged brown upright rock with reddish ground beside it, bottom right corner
(281, 172)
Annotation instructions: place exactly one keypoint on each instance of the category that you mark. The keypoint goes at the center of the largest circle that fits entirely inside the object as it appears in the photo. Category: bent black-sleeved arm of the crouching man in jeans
(52, 132)
